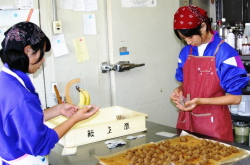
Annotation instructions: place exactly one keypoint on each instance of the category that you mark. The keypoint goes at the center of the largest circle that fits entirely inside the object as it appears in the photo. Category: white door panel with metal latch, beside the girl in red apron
(149, 36)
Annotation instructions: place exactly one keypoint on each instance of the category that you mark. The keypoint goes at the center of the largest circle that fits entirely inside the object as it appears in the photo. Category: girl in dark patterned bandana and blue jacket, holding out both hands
(25, 139)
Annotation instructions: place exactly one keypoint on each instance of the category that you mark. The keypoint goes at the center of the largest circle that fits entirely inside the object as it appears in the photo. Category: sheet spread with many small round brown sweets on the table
(186, 150)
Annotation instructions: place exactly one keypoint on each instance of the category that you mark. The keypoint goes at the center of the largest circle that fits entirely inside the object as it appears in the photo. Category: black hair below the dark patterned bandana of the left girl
(19, 60)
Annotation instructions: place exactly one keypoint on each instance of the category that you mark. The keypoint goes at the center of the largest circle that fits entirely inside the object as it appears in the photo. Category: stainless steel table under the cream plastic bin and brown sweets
(85, 153)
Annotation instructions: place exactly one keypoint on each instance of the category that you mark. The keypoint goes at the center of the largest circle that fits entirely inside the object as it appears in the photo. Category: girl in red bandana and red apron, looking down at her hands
(211, 76)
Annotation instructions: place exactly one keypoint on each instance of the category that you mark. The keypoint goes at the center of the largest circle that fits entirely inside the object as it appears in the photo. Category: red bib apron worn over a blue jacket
(201, 81)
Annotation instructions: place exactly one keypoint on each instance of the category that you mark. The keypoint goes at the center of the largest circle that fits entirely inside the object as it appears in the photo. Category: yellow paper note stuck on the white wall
(81, 50)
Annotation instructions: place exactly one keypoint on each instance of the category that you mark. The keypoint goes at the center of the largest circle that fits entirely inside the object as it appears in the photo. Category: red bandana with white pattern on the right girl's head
(189, 17)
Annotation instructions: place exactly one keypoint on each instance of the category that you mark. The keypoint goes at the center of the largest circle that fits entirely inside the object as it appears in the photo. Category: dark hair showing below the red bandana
(191, 32)
